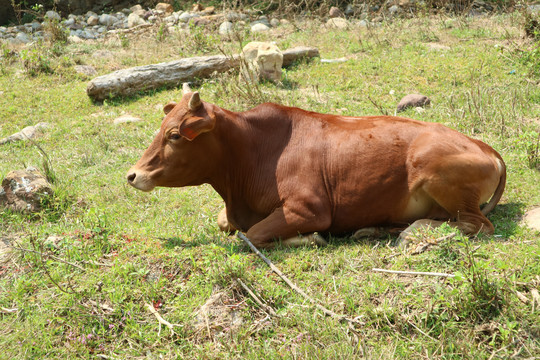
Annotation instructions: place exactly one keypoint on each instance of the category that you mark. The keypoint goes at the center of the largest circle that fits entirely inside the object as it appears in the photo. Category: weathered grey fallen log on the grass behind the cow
(129, 81)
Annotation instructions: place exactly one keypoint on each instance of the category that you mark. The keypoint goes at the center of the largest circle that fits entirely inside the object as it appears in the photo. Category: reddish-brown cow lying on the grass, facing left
(284, 171)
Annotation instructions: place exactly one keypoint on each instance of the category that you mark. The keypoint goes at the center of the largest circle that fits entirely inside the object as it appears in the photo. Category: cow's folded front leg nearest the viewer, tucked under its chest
(289, 225)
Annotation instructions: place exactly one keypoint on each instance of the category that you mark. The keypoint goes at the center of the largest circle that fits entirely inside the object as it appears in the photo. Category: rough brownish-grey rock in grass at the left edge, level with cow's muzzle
(24, 190)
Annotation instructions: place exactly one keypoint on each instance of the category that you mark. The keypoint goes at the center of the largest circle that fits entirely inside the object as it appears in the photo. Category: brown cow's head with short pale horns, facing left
(178, 156)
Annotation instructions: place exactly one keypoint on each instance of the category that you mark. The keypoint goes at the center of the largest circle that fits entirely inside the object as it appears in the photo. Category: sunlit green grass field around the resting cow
(164, 248)
